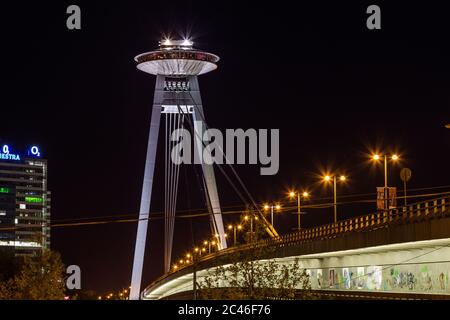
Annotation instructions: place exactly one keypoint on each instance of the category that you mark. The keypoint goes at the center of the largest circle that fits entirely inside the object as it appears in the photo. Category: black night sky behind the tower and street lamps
(332, 87)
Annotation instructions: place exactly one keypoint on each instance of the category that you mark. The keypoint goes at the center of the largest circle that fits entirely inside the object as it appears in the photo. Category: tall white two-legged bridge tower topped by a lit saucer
(176, 65)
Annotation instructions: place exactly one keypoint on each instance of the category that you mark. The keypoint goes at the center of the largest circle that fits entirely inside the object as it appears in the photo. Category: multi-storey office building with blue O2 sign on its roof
(24, 201)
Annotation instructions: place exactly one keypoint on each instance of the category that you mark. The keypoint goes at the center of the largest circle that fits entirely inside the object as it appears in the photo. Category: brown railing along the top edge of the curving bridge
(416, 212)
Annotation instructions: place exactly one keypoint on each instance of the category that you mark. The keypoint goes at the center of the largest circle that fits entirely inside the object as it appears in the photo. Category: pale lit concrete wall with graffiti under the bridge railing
(421, 267)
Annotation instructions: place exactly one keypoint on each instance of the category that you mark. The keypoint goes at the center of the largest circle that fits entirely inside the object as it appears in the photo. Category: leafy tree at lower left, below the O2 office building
(40, 277)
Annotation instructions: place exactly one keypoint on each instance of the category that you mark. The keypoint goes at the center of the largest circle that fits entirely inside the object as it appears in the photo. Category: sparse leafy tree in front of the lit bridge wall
(249, 277)
